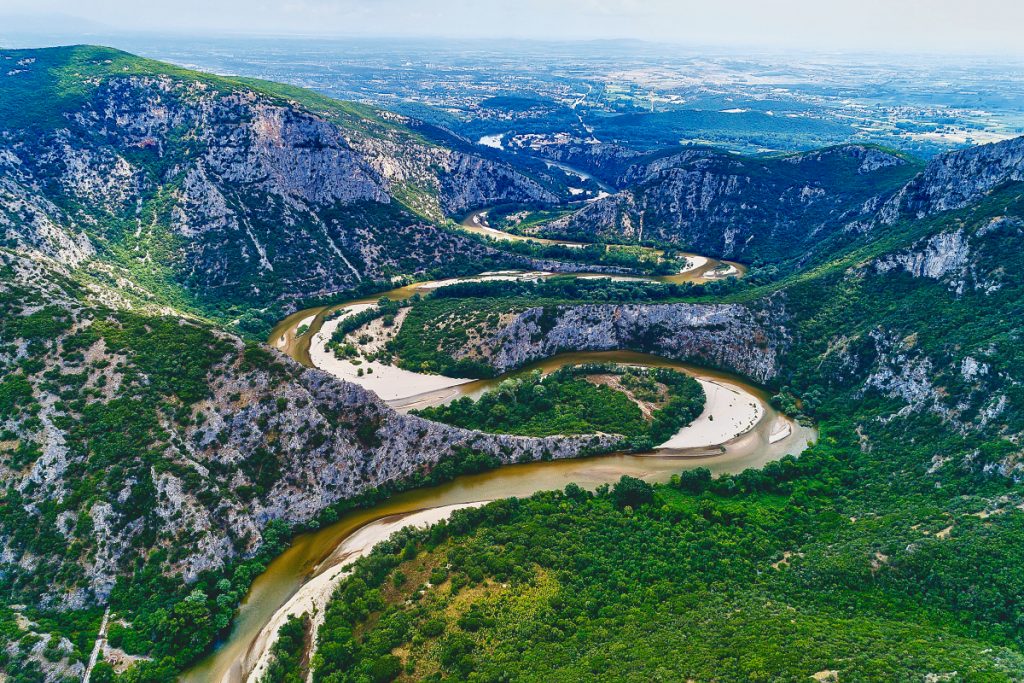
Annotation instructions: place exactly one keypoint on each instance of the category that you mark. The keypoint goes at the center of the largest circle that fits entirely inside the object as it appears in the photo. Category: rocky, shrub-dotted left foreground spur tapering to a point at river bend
(164, 434)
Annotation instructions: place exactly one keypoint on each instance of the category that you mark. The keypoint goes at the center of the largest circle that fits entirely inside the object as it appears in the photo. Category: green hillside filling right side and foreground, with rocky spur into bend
(888, 551)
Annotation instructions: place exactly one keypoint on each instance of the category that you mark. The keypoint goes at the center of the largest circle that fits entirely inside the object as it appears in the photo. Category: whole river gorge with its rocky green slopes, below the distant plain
(195, 278)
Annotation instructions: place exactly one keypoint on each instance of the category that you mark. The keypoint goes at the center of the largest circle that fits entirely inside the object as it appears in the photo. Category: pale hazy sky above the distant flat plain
(904, 26)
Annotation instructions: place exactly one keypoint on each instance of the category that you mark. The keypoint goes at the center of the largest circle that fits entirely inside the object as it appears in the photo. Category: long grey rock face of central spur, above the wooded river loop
(744, 339)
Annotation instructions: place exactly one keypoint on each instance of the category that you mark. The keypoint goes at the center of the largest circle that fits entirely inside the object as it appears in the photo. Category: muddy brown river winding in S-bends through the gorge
(305, 575)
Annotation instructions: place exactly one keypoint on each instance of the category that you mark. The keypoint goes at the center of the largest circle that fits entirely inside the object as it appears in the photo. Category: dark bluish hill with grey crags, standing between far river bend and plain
(739, 207)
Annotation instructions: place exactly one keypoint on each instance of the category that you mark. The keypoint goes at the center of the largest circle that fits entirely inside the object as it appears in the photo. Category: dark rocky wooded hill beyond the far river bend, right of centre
(774, 229)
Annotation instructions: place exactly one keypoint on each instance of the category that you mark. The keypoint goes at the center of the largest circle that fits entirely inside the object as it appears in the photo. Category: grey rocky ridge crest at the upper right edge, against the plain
(956, 180)
